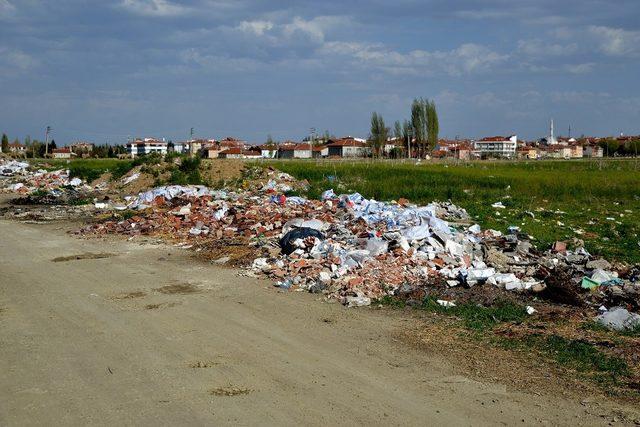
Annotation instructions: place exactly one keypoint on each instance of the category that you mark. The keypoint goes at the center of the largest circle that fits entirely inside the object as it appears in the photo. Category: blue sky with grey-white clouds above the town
(102, 70)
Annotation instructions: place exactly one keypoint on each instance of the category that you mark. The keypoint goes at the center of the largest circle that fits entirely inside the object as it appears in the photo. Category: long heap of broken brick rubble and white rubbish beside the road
(356, 250)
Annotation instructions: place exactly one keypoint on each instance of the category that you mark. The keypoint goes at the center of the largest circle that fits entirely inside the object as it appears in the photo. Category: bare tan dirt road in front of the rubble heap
(122, 333)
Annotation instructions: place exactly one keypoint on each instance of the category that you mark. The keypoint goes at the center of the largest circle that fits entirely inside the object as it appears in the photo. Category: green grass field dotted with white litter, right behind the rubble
(596, 201)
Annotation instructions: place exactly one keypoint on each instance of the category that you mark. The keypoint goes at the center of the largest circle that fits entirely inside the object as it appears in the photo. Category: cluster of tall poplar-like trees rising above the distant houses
(419, 134)
